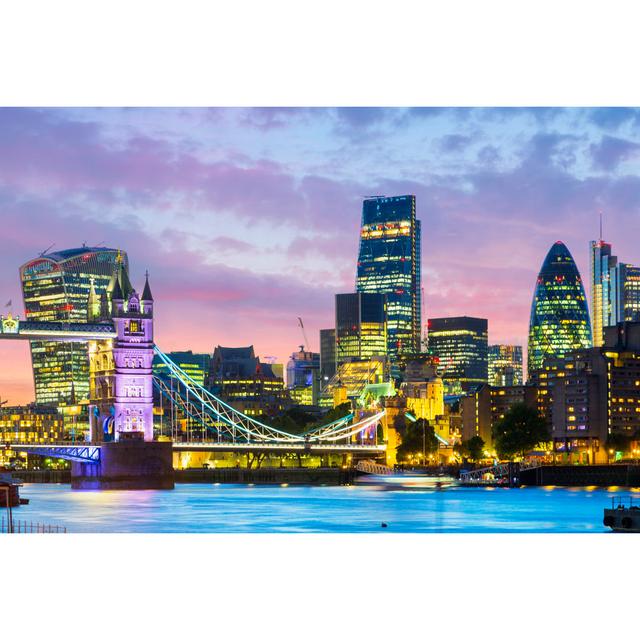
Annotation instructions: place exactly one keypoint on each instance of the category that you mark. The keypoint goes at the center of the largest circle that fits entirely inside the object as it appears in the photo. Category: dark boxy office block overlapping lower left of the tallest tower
(361, 326)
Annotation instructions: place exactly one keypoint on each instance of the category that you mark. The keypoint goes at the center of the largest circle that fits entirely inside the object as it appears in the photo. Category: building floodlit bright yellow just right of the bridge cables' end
(421, 386)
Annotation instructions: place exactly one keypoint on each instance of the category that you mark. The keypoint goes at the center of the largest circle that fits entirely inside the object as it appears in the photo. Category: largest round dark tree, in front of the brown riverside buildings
(519, 431)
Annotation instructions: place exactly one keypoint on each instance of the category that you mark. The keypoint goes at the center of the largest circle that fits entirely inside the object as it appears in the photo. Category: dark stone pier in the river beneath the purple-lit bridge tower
(128, 464)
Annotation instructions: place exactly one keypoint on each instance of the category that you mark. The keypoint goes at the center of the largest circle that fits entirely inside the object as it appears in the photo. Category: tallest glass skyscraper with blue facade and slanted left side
(389, 263)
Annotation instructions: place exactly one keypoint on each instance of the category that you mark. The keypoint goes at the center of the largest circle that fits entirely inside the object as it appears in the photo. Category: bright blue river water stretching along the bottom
(206, 508)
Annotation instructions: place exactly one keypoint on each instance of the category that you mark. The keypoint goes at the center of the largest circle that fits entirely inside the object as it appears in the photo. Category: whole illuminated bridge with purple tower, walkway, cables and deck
(121, 349)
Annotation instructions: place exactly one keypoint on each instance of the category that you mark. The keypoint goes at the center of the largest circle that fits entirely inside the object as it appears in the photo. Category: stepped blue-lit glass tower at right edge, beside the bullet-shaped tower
(615, 290)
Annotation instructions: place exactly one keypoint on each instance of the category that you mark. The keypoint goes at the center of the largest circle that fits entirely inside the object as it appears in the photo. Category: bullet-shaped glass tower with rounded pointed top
(559, 313)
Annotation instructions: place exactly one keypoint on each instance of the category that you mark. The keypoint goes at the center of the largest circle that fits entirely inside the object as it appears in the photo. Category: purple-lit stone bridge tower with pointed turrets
(121, 372)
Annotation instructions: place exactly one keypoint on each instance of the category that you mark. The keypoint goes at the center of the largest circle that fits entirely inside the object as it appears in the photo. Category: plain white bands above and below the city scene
(569, 53)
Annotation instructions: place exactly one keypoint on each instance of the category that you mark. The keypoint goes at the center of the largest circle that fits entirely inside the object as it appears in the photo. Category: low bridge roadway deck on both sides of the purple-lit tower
(90, 454)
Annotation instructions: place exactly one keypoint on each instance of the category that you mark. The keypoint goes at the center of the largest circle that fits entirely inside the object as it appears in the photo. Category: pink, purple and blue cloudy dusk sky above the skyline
(248, 218)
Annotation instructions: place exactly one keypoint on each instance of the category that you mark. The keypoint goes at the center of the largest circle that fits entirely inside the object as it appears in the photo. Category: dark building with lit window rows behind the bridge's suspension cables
(237, 376)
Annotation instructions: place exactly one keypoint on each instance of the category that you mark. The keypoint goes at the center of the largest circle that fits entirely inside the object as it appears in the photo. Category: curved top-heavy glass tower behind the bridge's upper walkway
(56, 288)
